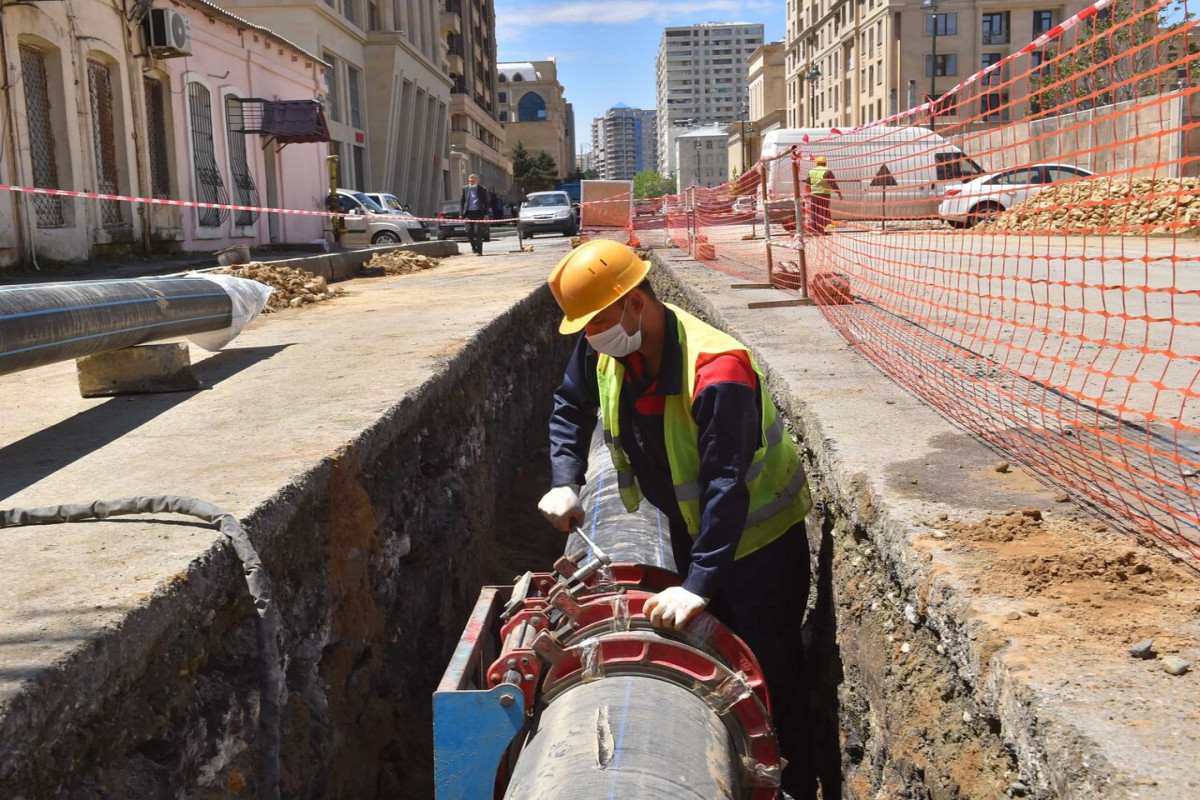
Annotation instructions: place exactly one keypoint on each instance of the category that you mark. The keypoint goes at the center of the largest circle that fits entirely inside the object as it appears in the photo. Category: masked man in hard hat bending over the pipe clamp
(693, 430)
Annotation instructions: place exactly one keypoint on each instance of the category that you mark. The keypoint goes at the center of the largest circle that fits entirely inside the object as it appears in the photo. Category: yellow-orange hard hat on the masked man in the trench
(592, 278)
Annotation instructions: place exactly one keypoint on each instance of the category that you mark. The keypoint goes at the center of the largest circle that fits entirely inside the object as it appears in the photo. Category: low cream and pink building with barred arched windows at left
(116, 112)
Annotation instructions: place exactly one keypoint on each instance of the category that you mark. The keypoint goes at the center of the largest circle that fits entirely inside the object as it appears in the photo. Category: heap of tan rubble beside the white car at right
(1107, 204)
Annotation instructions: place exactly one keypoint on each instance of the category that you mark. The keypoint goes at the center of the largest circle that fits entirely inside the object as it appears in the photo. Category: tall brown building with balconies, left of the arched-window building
(477, 137)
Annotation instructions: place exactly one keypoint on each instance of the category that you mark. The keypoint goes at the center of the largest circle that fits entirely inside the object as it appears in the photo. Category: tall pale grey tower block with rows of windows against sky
(701, 80)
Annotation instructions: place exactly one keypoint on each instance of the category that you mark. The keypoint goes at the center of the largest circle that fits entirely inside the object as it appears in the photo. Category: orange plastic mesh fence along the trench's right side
(1023, 254)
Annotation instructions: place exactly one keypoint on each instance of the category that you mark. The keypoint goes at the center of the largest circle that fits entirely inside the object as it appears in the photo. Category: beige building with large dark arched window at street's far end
(536, 113)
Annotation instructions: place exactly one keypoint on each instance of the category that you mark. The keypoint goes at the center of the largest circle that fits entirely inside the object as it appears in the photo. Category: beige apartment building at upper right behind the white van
(853, 63)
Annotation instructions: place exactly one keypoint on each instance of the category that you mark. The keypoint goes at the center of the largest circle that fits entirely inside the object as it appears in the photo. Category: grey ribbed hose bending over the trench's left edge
(267, 622)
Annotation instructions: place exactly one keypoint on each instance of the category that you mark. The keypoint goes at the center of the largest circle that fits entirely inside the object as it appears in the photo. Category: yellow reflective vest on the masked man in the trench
(779, 490)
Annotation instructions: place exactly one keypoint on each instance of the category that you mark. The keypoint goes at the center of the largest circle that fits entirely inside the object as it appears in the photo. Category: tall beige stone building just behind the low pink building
(388, 89)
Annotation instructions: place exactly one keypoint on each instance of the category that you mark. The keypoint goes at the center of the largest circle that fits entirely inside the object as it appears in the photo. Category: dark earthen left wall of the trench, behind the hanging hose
(376, 557)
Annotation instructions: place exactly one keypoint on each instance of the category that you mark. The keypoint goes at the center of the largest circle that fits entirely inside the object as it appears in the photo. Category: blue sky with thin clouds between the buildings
(607, 49)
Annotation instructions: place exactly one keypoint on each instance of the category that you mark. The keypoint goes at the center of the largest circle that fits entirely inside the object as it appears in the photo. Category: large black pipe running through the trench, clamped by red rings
(626, 736)
